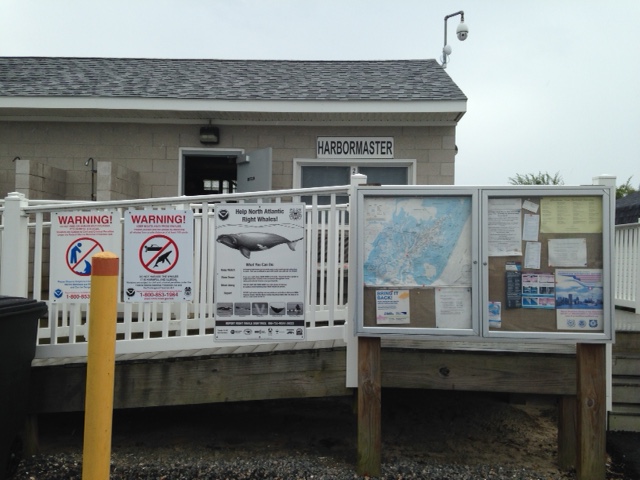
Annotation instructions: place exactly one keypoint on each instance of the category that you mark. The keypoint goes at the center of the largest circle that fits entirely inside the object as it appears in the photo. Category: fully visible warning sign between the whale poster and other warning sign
(158, 255)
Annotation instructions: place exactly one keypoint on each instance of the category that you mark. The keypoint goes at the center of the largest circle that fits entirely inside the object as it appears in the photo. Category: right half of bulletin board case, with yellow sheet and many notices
(546, 263)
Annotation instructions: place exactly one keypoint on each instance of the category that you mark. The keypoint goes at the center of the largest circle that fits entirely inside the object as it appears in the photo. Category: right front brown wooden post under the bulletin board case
(592, 412)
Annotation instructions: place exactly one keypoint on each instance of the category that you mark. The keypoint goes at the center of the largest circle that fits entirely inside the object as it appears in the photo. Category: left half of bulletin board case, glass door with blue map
(419, 263)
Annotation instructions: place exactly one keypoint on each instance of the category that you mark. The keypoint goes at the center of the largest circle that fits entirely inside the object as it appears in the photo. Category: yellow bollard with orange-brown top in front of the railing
(100, 367)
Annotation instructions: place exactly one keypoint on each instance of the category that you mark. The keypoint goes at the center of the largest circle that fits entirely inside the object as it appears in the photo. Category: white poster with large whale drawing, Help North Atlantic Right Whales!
(259, 272)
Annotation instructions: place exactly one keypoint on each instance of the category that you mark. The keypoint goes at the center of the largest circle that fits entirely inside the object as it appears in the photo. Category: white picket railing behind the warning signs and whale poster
(151, 327)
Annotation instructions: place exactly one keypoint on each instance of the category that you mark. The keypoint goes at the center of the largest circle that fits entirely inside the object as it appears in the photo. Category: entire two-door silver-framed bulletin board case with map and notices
(526, 262)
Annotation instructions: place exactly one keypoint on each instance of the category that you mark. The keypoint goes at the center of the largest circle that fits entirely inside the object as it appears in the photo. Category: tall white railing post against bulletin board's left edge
(350, 326)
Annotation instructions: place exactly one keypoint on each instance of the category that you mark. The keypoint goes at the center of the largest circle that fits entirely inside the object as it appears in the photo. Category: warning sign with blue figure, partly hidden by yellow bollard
(75, 238)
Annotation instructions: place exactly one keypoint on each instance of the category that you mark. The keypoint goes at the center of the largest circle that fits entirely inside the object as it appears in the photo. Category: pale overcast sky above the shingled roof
(553, 85)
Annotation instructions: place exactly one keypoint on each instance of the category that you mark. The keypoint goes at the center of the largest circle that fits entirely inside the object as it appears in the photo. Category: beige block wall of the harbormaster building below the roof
(152, 151)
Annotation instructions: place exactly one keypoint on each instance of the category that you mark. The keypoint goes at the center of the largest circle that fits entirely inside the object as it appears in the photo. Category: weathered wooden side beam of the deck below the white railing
(304, 369)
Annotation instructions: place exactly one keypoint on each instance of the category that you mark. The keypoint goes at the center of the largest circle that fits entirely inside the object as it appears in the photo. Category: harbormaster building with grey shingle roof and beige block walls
(116, 128)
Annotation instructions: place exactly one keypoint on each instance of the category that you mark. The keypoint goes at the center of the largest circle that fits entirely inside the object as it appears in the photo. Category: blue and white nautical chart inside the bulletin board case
(417, 241)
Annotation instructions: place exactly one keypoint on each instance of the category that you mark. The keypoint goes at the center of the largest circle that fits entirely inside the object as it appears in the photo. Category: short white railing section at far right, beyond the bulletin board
(627, 266)
